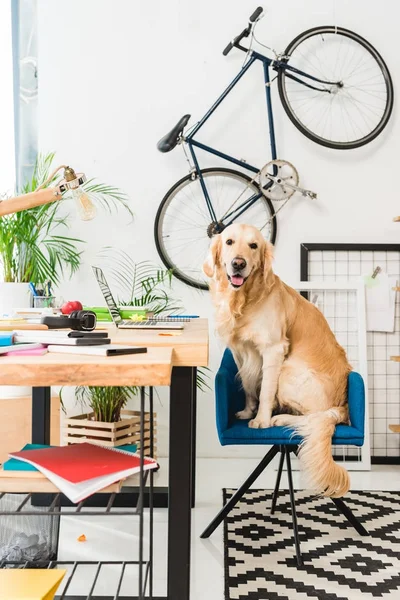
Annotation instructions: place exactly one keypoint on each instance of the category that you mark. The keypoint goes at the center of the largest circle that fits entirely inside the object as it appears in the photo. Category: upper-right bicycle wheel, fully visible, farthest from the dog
(351, 110)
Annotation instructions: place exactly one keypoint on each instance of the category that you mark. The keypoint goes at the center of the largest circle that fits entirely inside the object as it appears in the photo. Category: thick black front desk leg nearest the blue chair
(180, 488)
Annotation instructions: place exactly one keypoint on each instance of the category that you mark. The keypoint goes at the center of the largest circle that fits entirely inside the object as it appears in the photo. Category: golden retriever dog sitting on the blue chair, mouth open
(288, 358)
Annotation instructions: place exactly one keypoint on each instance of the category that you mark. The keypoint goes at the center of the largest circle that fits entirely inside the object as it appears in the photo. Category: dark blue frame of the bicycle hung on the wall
(192, 143)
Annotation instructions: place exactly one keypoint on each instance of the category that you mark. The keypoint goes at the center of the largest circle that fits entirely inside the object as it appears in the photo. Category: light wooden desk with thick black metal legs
(187, 351)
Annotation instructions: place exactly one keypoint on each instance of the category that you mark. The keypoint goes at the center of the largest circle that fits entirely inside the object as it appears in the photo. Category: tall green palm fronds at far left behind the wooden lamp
(34, 244)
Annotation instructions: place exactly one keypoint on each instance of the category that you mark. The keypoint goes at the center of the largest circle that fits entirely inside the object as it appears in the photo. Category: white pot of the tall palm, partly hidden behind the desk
(14, 295)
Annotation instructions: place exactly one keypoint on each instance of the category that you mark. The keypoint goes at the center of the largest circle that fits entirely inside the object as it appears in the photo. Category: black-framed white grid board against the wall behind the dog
(346, 262)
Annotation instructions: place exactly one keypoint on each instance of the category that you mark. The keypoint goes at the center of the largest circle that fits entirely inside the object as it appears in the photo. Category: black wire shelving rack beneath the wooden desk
(138, 584)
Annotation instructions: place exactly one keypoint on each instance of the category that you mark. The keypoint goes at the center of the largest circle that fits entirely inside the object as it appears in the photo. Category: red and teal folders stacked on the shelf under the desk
(78, 471)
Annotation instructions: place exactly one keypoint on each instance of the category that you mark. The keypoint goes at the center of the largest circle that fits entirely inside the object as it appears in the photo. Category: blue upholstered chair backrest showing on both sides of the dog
(230, 397)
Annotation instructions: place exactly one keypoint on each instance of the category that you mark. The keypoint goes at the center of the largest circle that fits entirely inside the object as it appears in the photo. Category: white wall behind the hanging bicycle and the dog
(116, 75)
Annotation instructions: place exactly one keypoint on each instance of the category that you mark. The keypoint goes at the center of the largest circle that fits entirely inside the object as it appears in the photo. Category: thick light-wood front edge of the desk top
(151, 368)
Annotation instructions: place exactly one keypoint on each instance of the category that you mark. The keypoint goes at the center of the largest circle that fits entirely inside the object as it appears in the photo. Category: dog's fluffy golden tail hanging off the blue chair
(325, 476)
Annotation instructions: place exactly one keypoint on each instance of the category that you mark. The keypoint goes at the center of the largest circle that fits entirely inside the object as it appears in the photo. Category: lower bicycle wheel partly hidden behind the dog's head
(183, 225)
